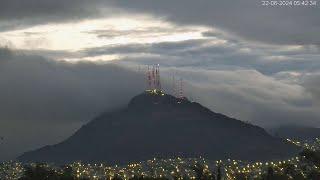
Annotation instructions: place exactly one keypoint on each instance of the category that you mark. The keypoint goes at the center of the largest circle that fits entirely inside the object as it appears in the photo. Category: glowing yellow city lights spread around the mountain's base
(179, 168)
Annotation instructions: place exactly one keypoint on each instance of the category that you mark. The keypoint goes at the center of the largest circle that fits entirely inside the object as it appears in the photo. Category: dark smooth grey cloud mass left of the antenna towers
(44, 101)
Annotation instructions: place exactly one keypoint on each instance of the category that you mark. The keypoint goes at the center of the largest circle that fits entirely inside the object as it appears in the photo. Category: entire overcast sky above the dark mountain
(63, 62)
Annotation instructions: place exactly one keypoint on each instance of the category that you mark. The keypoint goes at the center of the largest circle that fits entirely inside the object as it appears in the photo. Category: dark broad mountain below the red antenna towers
(160, 125)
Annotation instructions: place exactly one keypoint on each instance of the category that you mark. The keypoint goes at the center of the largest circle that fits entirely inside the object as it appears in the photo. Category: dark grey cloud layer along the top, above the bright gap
(245, 18)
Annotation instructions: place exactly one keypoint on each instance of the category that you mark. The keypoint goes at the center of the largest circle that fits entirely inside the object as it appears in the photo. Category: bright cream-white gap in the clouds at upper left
(73, 37)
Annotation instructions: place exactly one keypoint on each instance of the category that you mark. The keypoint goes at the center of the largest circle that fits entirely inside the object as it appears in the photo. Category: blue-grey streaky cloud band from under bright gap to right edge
(211, 54)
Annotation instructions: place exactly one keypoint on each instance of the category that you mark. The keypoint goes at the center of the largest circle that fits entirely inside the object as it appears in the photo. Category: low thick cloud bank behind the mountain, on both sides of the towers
(44, 101)
